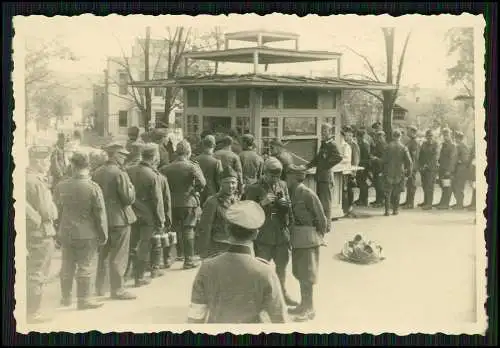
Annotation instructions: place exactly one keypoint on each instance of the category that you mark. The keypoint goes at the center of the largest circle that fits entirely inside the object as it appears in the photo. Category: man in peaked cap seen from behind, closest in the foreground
(220, 292)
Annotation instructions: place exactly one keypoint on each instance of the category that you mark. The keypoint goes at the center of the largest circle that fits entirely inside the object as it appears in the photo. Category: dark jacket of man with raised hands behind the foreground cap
(275, 229)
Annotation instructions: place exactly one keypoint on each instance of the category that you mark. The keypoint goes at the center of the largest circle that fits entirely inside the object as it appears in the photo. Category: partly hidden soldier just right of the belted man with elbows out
(211, 168)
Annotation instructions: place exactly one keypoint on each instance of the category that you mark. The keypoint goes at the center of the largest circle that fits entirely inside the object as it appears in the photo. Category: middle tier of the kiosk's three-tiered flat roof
(266, 55)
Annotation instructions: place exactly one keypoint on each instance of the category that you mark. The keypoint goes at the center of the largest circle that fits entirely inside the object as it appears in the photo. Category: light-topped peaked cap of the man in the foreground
(247, 214)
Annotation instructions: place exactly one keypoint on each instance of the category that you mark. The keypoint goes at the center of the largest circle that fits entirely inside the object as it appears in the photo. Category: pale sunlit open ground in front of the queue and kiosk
(427, 277)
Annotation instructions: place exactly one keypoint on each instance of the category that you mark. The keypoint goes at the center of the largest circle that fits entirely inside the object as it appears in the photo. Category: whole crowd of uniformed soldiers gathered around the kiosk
(145, 203)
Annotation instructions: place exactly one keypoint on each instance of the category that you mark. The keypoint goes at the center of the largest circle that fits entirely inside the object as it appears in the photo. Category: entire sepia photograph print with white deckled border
(250, 174)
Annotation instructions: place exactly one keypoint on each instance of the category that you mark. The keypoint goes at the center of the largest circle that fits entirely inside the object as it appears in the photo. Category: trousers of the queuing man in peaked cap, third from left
(113, 259)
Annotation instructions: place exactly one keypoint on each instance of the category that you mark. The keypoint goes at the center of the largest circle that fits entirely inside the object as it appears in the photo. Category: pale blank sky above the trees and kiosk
(93, 39)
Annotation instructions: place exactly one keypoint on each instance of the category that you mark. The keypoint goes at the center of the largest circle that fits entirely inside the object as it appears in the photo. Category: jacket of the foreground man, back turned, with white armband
(236, 288)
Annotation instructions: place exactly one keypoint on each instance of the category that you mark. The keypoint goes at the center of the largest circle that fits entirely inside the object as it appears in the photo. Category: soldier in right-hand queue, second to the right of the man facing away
(428, 165)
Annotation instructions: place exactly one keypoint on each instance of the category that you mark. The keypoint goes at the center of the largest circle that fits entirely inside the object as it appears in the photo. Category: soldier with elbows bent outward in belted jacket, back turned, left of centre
(186, 182)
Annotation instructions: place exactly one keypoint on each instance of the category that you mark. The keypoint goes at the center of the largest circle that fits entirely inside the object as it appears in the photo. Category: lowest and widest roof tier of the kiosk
(262, 80)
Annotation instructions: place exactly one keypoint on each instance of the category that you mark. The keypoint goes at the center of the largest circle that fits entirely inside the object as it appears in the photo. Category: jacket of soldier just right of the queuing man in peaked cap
(148, 204)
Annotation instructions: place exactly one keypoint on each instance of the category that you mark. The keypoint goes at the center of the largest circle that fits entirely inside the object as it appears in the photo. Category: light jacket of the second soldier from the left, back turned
(82, 209)
